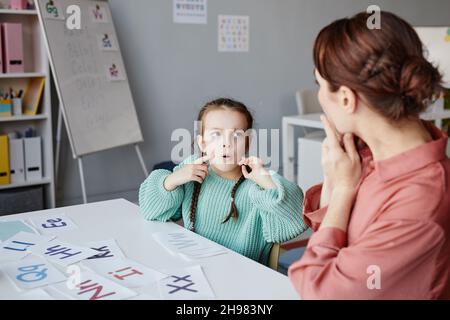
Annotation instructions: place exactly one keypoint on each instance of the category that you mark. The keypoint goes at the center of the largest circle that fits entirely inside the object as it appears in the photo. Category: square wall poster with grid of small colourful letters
(234, 33)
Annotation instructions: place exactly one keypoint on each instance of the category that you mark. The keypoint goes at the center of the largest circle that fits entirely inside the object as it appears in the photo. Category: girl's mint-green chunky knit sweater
(265, 216)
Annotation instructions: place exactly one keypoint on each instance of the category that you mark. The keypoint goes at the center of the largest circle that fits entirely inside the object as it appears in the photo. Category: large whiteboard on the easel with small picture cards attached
(90, 77)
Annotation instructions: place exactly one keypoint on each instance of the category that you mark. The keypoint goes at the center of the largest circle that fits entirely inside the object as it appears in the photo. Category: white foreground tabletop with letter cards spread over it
(230, 275)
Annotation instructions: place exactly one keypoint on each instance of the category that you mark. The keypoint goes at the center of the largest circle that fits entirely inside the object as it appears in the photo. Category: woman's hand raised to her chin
(341, 164)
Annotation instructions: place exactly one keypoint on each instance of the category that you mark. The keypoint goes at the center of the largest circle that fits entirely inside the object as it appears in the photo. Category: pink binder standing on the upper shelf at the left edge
(12, 35)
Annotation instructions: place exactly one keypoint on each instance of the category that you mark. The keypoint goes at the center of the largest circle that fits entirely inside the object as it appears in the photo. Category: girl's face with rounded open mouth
(224, 138)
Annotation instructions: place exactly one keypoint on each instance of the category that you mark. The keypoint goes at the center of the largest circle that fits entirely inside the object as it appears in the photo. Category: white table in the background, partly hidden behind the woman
(312, 120)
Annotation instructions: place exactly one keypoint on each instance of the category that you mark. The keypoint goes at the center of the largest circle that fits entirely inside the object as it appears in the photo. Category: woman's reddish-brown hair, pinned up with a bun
(386, 67)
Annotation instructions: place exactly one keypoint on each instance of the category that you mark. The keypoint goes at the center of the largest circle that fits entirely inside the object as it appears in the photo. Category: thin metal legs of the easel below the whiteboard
(80, 158)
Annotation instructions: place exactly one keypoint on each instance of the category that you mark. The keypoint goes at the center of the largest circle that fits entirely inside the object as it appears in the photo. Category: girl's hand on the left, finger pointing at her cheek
(197, 172)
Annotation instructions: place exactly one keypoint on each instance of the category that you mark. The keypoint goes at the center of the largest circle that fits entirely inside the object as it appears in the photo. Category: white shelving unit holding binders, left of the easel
(36, 65)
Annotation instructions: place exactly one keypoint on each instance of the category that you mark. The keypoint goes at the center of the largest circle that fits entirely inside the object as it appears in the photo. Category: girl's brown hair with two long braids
(227, 104)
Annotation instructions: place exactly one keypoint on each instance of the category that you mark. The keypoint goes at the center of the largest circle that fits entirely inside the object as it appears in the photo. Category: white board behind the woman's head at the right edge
(437, 48)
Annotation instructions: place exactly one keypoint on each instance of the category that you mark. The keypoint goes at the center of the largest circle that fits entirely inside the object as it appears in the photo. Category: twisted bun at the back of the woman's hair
(420, 81)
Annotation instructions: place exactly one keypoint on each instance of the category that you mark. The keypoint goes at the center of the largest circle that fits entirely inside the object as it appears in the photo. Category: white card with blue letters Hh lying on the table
(62, 253)
